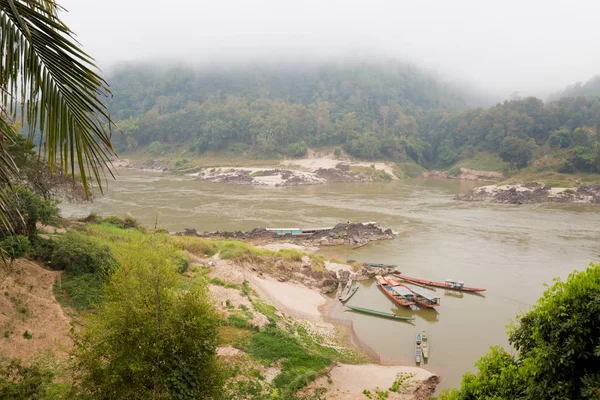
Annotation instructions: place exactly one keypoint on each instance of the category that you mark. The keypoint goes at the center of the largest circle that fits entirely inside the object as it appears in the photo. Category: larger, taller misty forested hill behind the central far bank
(273, 107)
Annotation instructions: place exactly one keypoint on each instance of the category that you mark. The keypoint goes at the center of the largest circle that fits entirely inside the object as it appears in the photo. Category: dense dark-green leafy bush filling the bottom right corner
(558, 345)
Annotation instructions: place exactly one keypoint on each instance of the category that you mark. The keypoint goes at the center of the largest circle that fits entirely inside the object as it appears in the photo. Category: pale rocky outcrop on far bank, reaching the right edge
(532, 193)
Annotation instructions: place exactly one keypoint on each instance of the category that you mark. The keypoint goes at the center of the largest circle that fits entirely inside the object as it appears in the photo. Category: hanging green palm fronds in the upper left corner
(47, 81)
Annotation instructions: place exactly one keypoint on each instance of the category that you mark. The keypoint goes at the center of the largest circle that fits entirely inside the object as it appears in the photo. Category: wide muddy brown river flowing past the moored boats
(510, 250)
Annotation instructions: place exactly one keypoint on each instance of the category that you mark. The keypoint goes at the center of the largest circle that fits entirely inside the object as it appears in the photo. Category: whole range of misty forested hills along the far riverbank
(373, 111)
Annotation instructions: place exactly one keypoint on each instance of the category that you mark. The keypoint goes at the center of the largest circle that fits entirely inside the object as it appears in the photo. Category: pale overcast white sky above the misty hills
(534, 47)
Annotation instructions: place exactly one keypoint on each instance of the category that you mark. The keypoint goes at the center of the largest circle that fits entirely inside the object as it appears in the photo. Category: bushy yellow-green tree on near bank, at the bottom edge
(151, 339)
